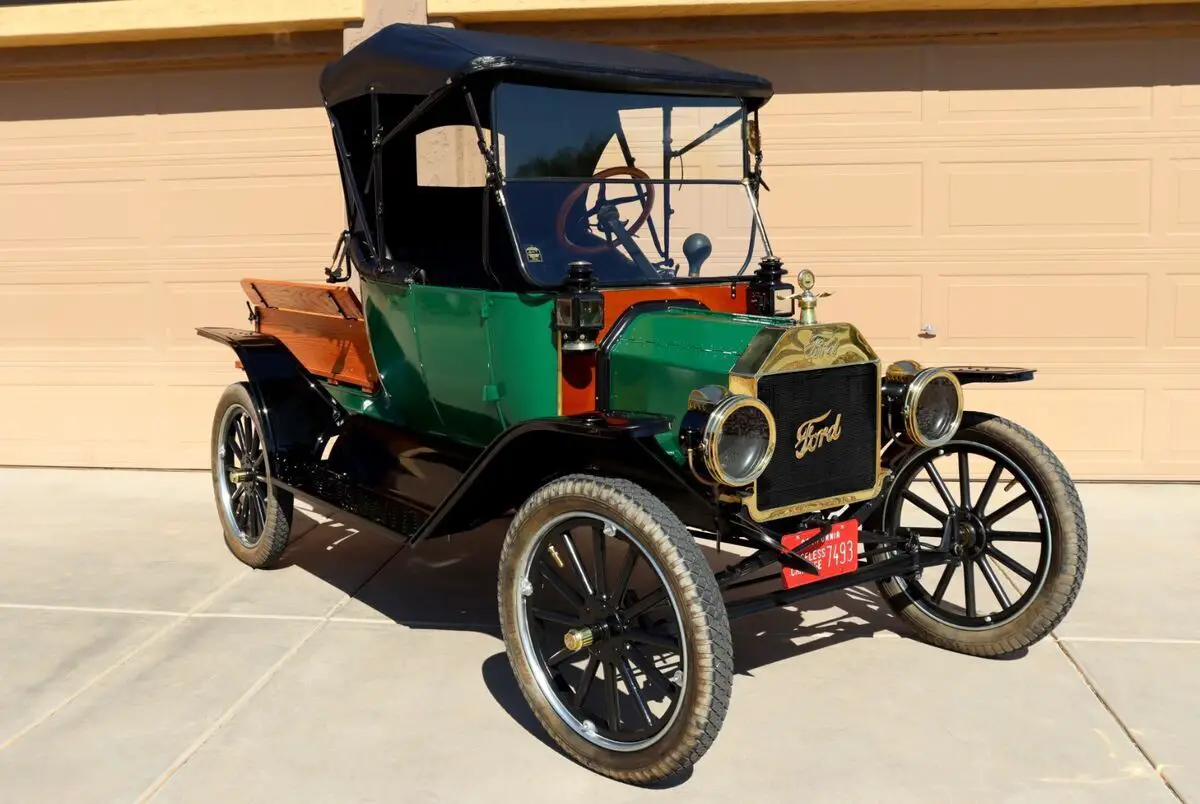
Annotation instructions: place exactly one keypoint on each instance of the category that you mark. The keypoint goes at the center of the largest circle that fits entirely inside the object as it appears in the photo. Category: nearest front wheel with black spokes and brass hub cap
(615, 628)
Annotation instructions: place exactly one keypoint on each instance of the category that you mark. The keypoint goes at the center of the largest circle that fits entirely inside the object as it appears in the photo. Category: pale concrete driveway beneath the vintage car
(139, 661)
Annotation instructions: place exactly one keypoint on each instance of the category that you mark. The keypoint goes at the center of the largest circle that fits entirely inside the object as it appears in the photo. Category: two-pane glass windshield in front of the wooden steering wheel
(646, 188)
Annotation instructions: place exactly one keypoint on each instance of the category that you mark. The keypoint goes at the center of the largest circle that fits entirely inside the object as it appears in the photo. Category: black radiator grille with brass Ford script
(835, 467)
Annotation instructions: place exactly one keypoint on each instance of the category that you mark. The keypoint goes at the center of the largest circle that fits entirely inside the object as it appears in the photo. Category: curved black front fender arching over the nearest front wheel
(535, 453)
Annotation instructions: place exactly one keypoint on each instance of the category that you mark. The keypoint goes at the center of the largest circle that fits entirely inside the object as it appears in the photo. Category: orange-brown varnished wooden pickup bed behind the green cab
(321, 325)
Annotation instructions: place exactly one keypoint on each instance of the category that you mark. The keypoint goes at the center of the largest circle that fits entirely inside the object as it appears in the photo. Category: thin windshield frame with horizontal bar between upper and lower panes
(751, 181)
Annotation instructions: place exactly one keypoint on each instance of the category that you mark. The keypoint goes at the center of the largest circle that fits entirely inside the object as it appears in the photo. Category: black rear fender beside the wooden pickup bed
(299, 416)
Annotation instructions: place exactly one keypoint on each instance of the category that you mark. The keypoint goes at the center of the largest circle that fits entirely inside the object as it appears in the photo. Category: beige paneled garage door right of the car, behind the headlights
(1033, 203)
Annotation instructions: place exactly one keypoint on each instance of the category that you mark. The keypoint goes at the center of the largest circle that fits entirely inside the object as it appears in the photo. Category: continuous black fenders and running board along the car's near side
(417, 487)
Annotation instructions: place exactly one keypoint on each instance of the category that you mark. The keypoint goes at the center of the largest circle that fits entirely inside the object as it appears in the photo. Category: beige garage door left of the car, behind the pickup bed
(130, 207)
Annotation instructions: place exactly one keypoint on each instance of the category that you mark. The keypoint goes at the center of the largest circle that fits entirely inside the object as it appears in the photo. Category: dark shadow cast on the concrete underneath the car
(449, 584)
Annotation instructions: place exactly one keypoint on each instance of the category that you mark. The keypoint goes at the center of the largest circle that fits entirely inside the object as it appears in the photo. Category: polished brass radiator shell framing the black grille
(807, 347)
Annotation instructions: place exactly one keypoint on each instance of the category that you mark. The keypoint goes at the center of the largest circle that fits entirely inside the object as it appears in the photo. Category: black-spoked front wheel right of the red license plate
(1005, 507)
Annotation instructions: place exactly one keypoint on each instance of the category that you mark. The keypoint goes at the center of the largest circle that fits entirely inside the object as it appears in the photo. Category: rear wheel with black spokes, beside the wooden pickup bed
(256, 518)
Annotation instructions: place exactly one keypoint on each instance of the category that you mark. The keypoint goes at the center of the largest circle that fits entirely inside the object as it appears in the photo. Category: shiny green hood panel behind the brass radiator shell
(663, 356)
